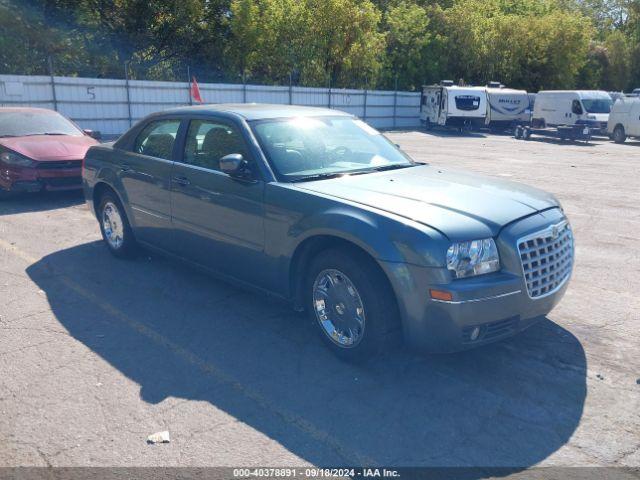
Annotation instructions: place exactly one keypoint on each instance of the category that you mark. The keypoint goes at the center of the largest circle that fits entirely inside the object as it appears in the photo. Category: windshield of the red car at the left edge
(23, 123)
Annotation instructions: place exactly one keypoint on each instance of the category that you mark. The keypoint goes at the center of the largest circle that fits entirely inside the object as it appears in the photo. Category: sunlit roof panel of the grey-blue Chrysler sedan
(258, 111)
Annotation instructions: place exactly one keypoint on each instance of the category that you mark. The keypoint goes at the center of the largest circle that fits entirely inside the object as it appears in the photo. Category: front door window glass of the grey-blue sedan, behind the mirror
(208, 141)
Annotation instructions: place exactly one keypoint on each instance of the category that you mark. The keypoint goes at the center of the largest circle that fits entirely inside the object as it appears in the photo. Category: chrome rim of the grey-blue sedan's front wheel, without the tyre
(339, 308)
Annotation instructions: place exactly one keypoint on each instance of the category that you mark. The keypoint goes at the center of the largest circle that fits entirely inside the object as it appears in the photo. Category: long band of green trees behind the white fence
(531, 44)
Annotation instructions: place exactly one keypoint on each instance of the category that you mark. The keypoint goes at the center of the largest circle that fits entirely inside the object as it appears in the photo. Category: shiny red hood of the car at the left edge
(50, 147)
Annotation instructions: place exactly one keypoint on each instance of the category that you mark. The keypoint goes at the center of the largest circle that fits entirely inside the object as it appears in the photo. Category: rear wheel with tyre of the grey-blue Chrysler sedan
(115, 228)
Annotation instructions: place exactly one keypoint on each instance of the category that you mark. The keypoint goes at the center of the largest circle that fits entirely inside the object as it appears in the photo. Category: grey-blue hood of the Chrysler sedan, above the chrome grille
(461, 205)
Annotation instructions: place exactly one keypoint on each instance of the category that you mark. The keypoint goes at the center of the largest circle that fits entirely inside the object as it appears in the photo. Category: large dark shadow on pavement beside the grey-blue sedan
(177, 332)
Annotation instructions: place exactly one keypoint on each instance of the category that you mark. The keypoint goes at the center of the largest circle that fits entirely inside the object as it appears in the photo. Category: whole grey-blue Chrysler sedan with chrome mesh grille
(315, 206)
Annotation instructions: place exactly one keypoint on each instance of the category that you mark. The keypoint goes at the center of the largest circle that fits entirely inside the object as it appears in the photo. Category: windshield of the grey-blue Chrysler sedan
(313, 147)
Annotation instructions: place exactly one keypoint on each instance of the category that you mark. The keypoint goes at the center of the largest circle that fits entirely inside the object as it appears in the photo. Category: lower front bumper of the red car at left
(39, 179)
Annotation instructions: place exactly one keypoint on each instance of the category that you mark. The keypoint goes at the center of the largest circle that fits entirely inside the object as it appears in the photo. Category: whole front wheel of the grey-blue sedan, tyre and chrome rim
(351, 304)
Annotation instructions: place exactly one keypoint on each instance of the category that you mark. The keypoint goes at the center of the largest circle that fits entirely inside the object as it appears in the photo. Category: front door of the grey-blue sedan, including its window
(218, 220)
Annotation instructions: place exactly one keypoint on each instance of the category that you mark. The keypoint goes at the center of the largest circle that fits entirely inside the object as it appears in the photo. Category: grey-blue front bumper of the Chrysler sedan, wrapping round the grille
(497, 303)
